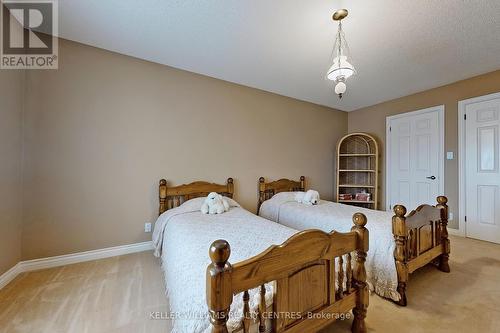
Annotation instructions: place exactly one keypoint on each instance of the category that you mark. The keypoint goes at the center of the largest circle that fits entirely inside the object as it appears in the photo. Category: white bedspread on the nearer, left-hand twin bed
(182, 237)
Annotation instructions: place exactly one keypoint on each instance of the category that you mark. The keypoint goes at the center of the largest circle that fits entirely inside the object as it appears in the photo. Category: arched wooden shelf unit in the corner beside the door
(357, 170)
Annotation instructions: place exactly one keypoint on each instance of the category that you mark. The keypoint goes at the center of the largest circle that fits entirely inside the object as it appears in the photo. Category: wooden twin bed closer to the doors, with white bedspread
(399, 244)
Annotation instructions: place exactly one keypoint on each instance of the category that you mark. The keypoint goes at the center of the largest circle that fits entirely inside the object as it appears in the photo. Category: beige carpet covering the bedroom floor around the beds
(118, 295)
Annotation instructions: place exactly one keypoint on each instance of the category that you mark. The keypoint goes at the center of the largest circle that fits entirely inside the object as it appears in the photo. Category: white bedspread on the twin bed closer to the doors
(328, 216)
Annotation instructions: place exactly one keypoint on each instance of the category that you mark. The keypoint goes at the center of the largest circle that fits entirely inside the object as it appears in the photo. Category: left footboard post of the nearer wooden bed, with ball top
(219, 291)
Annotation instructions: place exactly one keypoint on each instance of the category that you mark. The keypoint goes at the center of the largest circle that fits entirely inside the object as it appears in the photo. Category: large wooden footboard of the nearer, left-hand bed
(310, 291)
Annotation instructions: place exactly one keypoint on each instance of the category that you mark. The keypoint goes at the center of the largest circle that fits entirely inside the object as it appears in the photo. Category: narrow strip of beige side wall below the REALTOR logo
(11, 107)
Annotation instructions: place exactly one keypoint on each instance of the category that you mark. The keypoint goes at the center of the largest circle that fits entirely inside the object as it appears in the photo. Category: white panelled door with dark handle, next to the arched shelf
(415, 158)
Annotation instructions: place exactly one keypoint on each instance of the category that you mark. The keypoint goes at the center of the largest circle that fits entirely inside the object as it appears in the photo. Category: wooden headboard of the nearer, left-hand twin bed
(171, 197)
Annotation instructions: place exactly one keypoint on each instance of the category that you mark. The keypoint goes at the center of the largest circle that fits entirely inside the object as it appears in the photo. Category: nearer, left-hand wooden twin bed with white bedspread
(282, 280)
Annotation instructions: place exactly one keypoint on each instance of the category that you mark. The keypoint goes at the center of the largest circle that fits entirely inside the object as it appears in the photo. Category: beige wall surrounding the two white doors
(372, 120)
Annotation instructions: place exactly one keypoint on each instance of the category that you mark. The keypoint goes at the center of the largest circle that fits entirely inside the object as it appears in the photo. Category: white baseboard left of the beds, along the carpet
(67, 259)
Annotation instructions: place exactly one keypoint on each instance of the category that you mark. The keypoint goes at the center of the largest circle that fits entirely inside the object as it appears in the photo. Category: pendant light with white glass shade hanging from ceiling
(341, 69)
